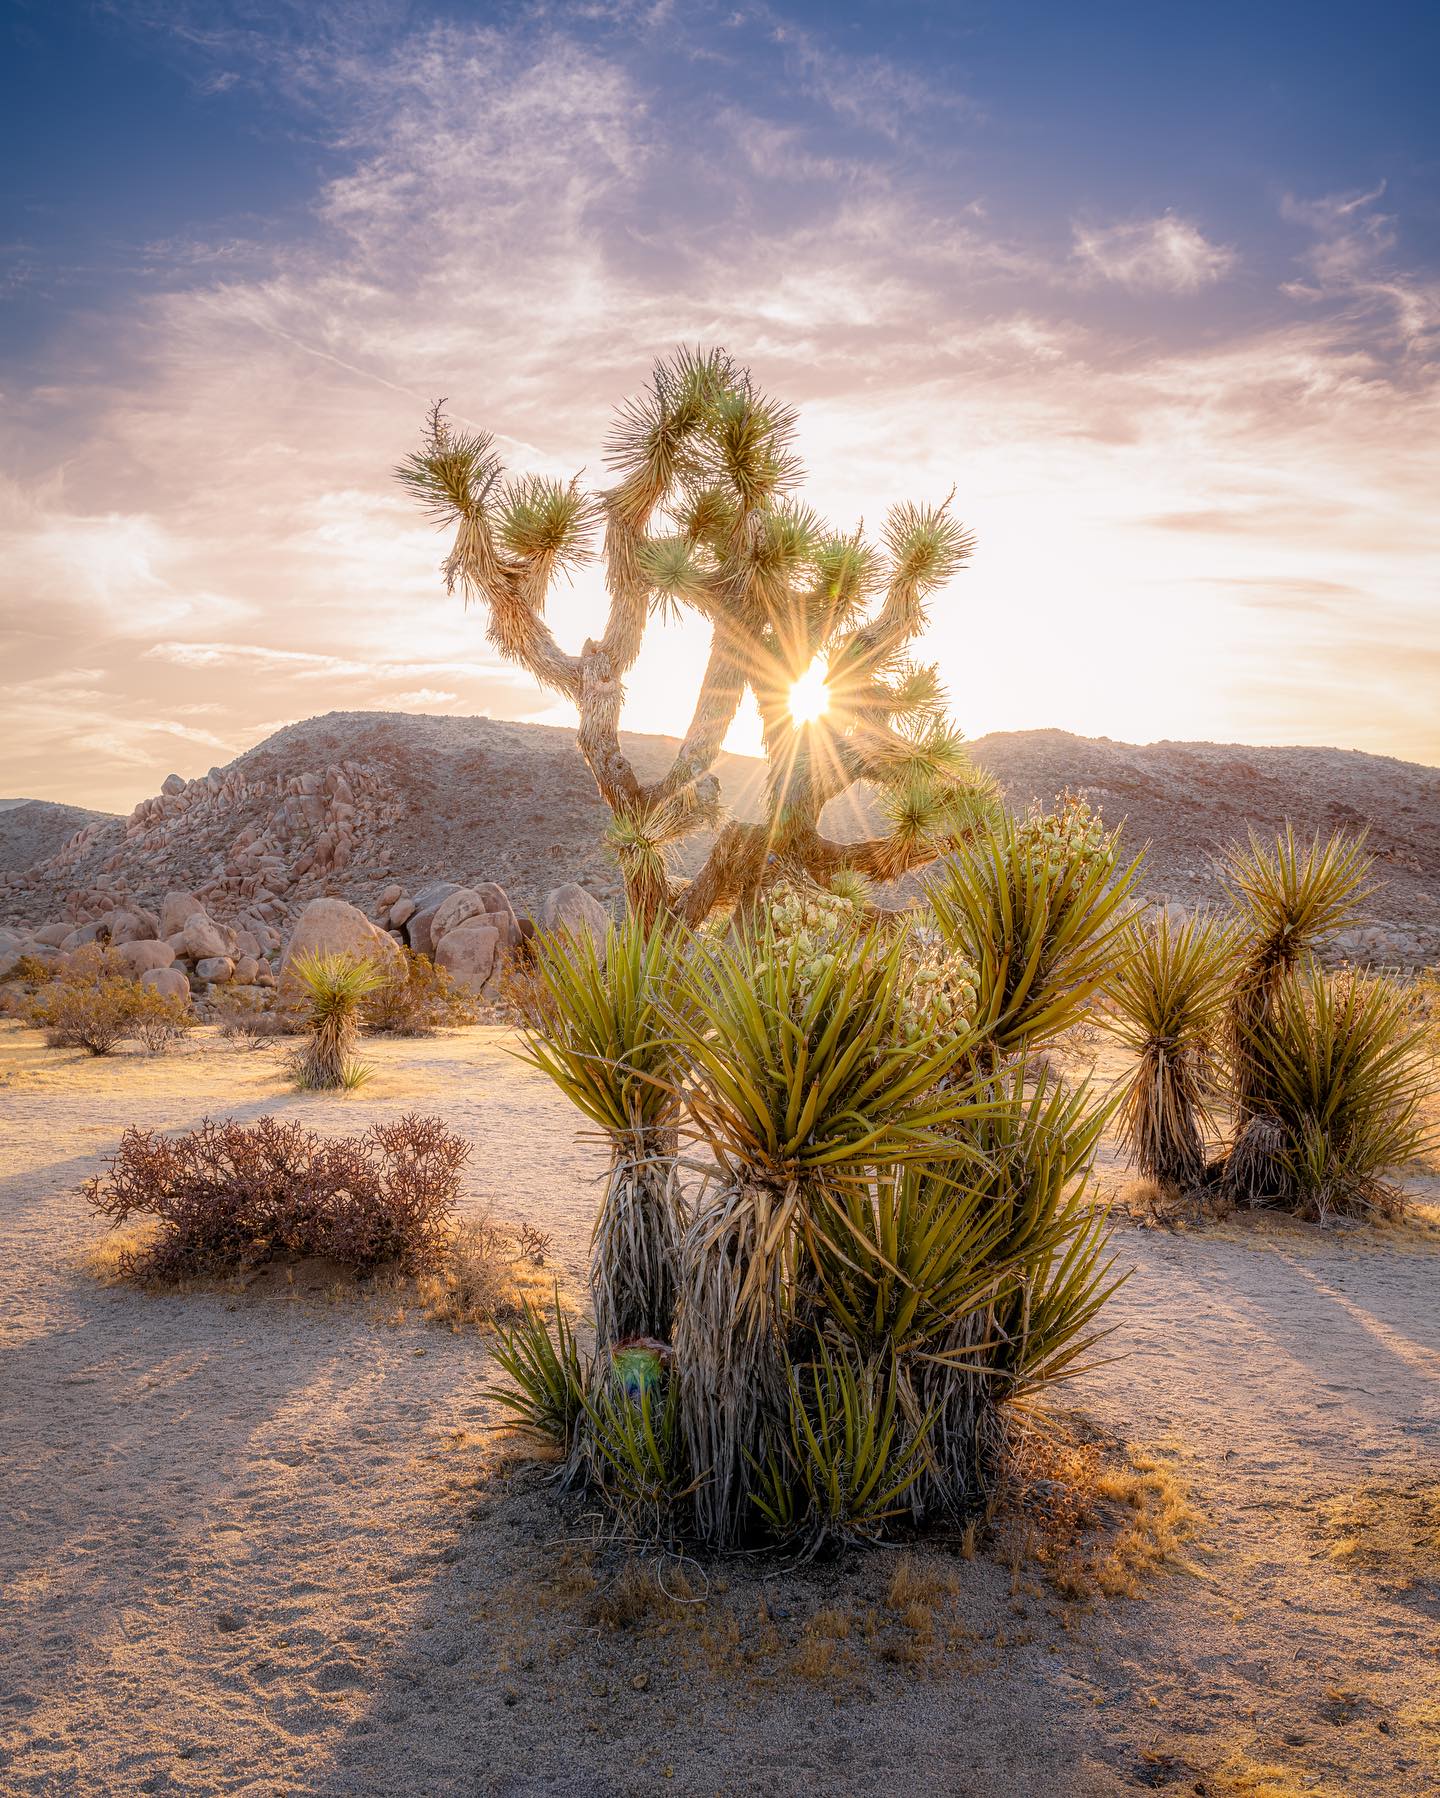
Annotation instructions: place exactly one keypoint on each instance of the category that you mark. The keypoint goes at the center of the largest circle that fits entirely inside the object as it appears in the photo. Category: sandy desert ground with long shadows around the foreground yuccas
(258, 1545)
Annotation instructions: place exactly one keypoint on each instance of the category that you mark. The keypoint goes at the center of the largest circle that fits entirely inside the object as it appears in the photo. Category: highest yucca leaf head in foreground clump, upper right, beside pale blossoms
(1036, 907)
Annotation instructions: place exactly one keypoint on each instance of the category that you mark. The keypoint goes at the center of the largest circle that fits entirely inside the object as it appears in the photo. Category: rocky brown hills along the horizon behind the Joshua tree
(355, 803)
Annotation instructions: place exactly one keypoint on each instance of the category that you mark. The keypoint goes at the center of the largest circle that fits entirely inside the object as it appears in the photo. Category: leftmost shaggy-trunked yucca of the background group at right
(1168, 1001)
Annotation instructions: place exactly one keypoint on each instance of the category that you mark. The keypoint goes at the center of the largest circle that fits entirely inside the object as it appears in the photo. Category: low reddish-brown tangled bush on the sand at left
(231, 1197)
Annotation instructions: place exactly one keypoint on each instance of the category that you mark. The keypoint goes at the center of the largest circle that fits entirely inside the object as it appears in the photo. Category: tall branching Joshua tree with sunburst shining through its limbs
(704, 519)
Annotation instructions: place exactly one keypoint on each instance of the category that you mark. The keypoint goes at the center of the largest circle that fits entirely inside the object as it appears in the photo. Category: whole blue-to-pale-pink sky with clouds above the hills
(1155, 289)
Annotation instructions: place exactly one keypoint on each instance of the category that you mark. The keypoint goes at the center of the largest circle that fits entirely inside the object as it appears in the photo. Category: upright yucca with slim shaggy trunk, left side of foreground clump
(603, 1031)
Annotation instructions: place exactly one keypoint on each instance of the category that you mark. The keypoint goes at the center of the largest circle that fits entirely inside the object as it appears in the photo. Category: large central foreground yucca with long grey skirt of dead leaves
(799, 1080)
